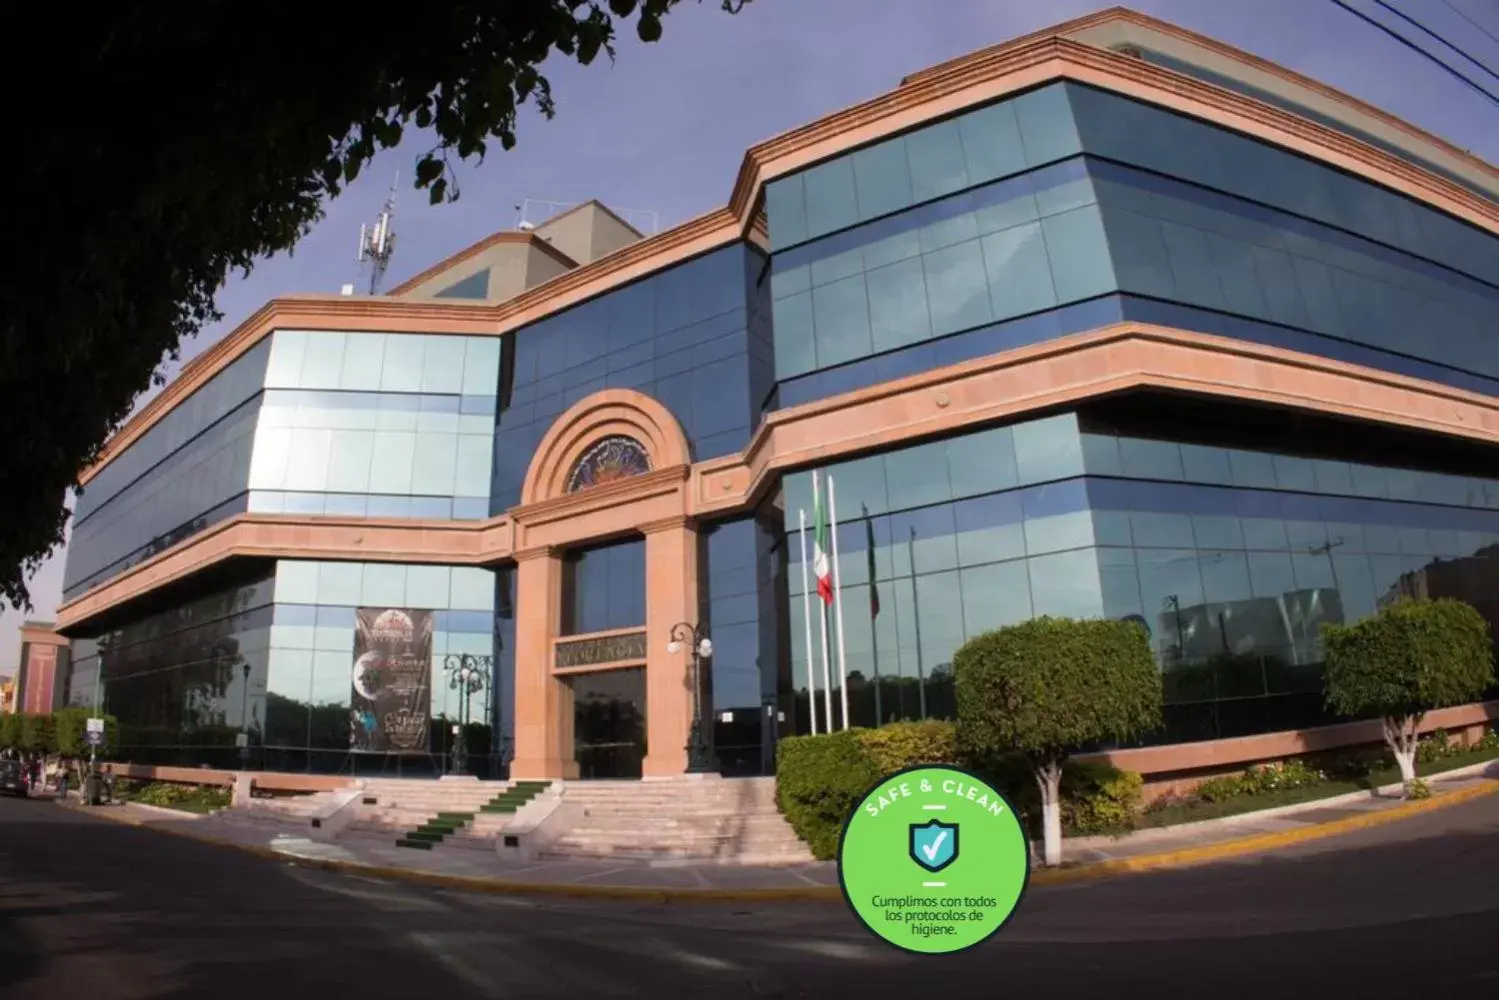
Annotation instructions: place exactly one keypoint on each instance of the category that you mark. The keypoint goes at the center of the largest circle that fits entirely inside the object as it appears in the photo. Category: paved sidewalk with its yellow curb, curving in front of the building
(1086, 858)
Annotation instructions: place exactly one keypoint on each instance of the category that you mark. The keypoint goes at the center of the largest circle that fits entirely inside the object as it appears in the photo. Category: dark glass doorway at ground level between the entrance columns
(609, 723)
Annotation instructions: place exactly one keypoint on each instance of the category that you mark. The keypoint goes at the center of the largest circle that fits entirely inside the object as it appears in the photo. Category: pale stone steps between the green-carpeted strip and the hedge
(684, 821)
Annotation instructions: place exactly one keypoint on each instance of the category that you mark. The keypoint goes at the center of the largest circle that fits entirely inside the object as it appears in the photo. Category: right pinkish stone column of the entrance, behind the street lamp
(671, 599)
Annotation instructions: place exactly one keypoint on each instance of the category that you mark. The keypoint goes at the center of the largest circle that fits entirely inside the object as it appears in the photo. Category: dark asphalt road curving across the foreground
(95, 911)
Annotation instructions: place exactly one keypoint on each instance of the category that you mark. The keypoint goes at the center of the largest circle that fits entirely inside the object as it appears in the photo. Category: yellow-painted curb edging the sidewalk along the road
(1094, 872)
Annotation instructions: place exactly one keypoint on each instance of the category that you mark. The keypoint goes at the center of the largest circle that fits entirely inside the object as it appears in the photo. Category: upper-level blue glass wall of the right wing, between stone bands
(932, 250)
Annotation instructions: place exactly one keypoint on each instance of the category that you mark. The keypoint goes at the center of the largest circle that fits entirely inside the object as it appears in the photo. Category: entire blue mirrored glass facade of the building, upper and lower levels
(1231, 534)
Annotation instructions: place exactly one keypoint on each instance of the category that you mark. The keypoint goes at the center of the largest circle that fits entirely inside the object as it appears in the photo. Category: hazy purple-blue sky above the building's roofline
(665, 128)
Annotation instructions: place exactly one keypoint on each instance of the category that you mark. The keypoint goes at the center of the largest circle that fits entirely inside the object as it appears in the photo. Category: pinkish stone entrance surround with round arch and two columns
(612, 467)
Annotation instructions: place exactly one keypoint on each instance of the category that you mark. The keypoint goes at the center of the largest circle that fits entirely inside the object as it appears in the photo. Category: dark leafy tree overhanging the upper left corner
(179, 143)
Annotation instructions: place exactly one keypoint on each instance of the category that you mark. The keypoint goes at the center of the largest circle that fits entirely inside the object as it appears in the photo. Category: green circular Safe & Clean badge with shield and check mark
(935, 860)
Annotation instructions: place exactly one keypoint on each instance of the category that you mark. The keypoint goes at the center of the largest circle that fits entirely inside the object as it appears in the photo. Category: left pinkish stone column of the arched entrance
(543, 704)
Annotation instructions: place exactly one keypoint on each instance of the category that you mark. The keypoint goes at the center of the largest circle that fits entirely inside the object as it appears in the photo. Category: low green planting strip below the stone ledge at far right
(1339, 782)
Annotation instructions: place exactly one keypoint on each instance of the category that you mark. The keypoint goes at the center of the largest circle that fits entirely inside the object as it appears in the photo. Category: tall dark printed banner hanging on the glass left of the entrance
(392, 702)
